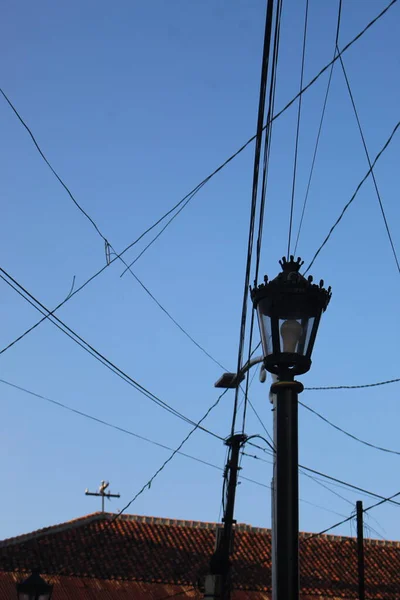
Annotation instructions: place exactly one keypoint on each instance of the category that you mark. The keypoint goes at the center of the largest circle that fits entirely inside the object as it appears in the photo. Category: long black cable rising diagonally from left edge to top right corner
(241, 149)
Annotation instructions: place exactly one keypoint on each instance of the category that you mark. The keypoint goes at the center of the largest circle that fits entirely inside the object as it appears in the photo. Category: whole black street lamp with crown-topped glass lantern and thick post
(289, 309)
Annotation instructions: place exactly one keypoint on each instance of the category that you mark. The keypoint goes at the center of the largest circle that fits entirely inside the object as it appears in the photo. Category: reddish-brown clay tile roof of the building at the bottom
(159, 556)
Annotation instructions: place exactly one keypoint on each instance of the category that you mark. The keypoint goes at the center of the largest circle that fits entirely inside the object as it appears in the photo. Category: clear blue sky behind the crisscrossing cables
(134, 103)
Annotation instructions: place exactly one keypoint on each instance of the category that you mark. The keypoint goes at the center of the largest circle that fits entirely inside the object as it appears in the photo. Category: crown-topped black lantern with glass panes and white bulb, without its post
(289, 309)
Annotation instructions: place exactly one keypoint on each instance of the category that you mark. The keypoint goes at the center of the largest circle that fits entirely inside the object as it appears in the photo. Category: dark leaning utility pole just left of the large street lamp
(218, 584)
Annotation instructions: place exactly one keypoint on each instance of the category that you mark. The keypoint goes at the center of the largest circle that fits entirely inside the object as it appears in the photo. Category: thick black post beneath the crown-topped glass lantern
(286, 484)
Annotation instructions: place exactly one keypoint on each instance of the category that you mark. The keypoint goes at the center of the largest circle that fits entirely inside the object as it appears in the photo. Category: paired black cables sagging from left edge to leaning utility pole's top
(88, 348)
